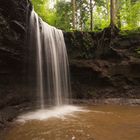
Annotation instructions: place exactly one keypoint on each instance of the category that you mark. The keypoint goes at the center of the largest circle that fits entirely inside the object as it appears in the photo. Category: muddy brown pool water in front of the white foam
(102, 122)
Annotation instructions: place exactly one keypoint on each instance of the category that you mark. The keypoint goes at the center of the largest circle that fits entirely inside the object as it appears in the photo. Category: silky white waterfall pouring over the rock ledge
(53, 82)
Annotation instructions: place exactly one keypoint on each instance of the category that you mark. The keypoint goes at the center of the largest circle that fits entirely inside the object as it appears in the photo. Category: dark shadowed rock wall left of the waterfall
(13, 50)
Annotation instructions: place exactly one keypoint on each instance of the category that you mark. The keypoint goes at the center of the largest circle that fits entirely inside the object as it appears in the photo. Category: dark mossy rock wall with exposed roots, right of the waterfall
(104, 66)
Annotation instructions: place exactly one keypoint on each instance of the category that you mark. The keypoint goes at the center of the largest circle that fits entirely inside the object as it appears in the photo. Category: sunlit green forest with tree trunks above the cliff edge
(89, 15)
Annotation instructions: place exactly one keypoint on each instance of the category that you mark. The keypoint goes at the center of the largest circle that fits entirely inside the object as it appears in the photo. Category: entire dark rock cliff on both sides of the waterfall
(101, 65)
